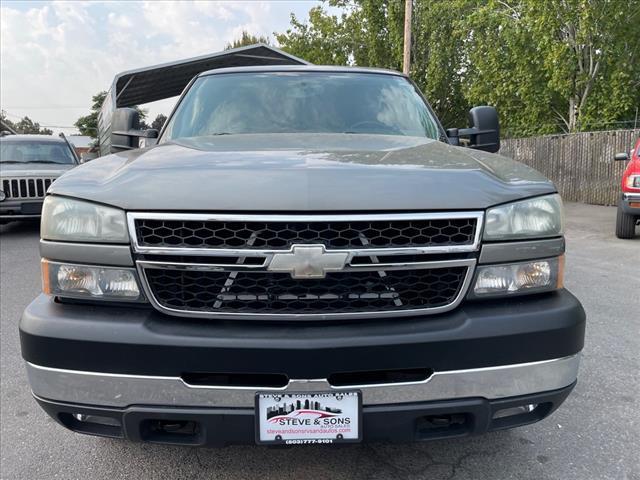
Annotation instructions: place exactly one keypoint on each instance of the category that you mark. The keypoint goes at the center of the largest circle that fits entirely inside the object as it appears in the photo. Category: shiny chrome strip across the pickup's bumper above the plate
(114, 390)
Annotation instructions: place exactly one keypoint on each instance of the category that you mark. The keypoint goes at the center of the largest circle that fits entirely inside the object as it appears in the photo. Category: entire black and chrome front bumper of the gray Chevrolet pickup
(124, 360)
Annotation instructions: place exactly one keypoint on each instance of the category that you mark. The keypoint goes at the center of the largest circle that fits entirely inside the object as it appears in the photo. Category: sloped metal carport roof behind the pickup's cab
(148, 84)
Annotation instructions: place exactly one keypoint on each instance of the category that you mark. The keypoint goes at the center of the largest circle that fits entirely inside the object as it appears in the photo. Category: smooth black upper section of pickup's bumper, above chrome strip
(141, 341)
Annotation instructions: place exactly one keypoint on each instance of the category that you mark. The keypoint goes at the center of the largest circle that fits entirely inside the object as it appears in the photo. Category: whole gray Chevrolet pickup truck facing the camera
(305, 257)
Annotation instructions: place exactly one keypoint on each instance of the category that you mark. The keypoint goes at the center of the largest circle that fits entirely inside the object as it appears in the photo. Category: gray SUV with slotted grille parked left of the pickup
(28, 166)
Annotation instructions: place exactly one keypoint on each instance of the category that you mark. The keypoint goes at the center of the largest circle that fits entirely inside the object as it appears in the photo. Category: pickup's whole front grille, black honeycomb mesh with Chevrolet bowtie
(238, 265)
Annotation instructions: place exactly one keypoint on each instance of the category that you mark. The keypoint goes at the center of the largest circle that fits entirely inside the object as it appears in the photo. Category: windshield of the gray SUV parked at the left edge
(35, 151)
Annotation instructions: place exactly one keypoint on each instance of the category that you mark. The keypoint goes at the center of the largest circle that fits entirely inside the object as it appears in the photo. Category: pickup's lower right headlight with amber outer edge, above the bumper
(518, 278)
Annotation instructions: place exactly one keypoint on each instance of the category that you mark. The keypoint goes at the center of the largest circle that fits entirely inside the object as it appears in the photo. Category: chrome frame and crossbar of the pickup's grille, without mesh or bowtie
(244, 261)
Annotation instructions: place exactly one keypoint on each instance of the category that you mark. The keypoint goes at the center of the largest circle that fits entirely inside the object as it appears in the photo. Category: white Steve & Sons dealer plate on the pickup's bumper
(308, 418)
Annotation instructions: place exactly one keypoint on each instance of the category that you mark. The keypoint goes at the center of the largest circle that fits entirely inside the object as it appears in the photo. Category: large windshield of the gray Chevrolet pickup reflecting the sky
(302, 102)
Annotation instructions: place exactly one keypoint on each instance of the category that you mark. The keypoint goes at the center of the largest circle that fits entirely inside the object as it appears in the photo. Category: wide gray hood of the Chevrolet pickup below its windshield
(302, 172)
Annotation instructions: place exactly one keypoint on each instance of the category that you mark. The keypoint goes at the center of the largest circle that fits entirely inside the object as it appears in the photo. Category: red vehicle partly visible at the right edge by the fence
(629, 203)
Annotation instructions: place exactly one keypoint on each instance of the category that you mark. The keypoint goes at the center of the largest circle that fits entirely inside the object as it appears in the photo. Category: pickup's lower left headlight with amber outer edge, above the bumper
(85, 281)
